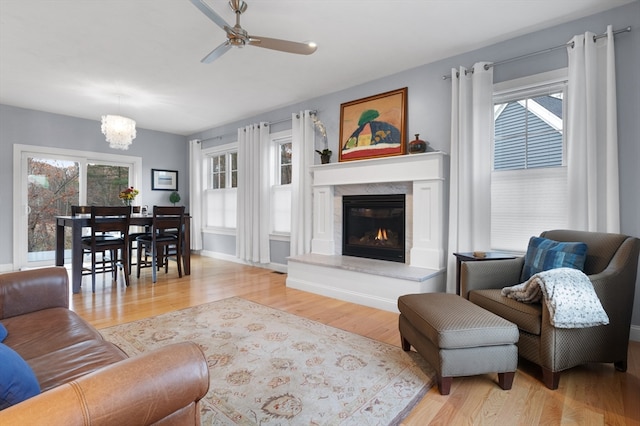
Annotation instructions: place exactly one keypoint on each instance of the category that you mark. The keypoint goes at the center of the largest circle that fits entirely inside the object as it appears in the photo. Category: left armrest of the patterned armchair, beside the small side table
(486, 274)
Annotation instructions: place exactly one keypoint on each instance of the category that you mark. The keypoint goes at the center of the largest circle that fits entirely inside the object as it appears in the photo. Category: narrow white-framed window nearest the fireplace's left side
(281, 188)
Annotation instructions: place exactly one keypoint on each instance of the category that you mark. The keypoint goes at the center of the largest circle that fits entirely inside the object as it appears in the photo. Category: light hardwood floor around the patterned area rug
(588, 395)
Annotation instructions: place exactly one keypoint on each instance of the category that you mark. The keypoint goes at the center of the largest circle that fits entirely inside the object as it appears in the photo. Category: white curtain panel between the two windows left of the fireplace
(252, 238)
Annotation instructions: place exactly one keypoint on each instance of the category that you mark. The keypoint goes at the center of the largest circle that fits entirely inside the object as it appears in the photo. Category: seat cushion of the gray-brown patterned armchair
(528, 317)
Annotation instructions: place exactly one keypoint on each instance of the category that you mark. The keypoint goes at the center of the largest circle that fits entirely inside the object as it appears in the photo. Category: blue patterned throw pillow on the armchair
(544, 254)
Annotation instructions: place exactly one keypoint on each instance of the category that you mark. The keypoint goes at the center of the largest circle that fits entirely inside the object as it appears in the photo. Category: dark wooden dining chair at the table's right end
(165, 239)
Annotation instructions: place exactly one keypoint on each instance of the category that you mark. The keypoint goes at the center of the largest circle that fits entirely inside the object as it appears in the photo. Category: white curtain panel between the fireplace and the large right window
(470, 167)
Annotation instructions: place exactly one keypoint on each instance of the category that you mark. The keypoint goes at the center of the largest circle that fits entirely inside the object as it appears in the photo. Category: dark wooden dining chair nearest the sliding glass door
(109, 232)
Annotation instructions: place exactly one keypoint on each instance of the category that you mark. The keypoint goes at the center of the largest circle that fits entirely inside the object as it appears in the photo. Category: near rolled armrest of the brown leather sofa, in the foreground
(165, 383)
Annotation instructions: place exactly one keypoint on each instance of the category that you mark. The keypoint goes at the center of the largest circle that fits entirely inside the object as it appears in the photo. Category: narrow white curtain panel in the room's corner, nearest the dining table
(195, 192)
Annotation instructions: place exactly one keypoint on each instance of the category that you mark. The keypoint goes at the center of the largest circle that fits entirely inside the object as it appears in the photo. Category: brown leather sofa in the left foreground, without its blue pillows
(85, 379)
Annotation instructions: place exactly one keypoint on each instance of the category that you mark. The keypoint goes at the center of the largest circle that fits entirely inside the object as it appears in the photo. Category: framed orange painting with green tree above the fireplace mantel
(373, 126)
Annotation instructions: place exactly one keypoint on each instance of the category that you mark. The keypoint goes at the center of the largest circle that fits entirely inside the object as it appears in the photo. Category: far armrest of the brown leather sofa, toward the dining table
(33, 290)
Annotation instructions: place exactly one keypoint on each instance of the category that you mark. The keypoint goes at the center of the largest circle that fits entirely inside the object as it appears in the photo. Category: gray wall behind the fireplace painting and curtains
(429, 97)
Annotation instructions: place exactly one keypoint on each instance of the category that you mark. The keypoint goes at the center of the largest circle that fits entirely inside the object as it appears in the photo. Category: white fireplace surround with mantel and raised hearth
(370, 282)
